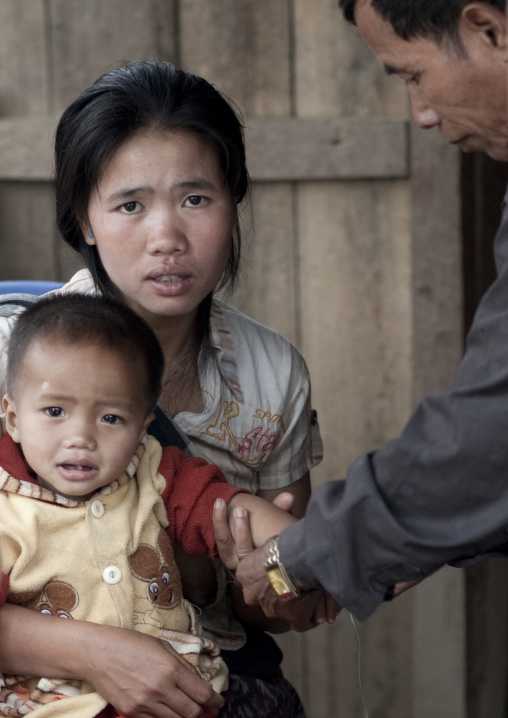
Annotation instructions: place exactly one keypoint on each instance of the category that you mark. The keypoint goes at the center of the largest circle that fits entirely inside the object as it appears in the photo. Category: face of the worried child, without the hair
(78, 412)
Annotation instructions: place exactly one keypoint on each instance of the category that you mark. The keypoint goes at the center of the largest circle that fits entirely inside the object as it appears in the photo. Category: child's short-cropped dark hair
(93, 319)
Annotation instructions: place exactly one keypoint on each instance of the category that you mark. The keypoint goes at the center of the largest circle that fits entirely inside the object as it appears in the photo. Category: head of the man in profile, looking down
(453, 56)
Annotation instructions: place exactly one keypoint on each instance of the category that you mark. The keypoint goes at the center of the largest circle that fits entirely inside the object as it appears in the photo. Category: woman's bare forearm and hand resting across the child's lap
(141, 676)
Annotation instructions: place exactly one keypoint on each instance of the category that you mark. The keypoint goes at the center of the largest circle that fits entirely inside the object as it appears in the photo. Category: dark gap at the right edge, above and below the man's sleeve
(483, 186)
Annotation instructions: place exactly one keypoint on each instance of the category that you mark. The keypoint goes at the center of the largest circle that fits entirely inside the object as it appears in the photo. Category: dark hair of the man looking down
(436, 19)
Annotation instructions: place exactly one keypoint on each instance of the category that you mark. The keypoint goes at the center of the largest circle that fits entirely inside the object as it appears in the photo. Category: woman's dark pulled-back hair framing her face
(143, 95)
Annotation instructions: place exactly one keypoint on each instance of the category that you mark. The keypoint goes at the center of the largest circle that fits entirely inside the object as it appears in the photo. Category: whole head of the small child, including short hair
(83, 377)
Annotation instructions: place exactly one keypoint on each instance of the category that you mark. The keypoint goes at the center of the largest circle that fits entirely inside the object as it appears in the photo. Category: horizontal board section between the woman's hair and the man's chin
(320, 149)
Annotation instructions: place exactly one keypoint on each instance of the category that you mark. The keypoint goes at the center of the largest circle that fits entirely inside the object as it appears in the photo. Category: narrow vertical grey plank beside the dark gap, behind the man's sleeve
(439, 686)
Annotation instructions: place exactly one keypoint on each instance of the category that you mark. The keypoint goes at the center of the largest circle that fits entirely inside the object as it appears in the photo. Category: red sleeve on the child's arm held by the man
(192, 485)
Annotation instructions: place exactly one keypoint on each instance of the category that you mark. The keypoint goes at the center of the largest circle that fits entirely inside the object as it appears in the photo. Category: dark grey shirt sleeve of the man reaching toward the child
(437, 494)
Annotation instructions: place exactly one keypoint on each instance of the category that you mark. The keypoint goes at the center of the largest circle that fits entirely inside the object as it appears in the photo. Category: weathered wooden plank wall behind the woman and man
(354, 254)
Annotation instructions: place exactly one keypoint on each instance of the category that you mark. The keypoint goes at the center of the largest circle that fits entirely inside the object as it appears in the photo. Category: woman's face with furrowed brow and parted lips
(162, 218)
